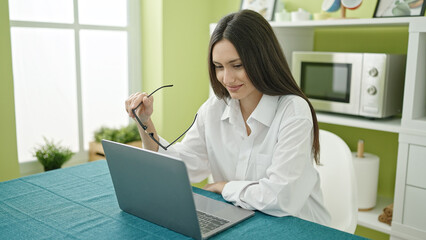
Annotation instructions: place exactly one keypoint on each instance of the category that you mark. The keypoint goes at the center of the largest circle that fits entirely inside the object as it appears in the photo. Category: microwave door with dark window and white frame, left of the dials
(332, 85)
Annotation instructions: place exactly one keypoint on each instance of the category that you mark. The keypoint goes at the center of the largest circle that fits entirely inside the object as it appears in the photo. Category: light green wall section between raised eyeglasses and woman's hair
(185, 65)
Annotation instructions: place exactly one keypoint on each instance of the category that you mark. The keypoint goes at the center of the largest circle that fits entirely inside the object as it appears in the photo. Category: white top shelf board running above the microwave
(349, 22)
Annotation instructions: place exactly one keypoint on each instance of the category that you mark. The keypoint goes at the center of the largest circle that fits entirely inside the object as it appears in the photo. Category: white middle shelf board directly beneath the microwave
(386, 125)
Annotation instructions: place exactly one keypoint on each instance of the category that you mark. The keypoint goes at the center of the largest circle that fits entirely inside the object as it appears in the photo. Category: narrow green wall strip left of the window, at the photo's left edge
(9, 167)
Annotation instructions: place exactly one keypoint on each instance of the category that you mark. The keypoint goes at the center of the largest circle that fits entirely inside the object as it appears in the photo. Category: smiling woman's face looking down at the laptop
(231, 73)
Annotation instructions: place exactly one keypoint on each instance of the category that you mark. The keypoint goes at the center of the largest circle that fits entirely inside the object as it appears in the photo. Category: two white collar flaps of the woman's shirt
(263, 113)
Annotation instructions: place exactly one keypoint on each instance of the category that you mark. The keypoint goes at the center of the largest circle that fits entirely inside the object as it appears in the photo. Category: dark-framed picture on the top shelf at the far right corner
(399, 8)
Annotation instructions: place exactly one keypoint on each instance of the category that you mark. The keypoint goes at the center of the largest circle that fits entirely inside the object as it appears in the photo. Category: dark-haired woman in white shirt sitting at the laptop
(259, 134)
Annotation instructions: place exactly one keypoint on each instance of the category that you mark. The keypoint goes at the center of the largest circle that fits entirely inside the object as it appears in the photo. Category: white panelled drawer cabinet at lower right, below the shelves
(409, 220)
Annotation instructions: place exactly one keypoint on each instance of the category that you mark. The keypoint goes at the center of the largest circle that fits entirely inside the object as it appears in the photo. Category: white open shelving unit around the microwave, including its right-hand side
(409, 220)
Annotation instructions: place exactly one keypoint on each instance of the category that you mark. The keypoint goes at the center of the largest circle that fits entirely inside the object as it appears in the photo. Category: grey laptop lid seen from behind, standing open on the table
(152, 186)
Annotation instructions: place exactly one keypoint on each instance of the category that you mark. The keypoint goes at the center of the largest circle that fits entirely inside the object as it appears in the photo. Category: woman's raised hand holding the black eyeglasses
(145, 110)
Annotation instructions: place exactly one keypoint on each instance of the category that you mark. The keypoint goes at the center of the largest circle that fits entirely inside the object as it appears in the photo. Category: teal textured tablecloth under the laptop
(79, 203)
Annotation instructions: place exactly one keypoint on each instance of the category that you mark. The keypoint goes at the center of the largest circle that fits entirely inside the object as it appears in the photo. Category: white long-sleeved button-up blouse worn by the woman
(271, 170)
